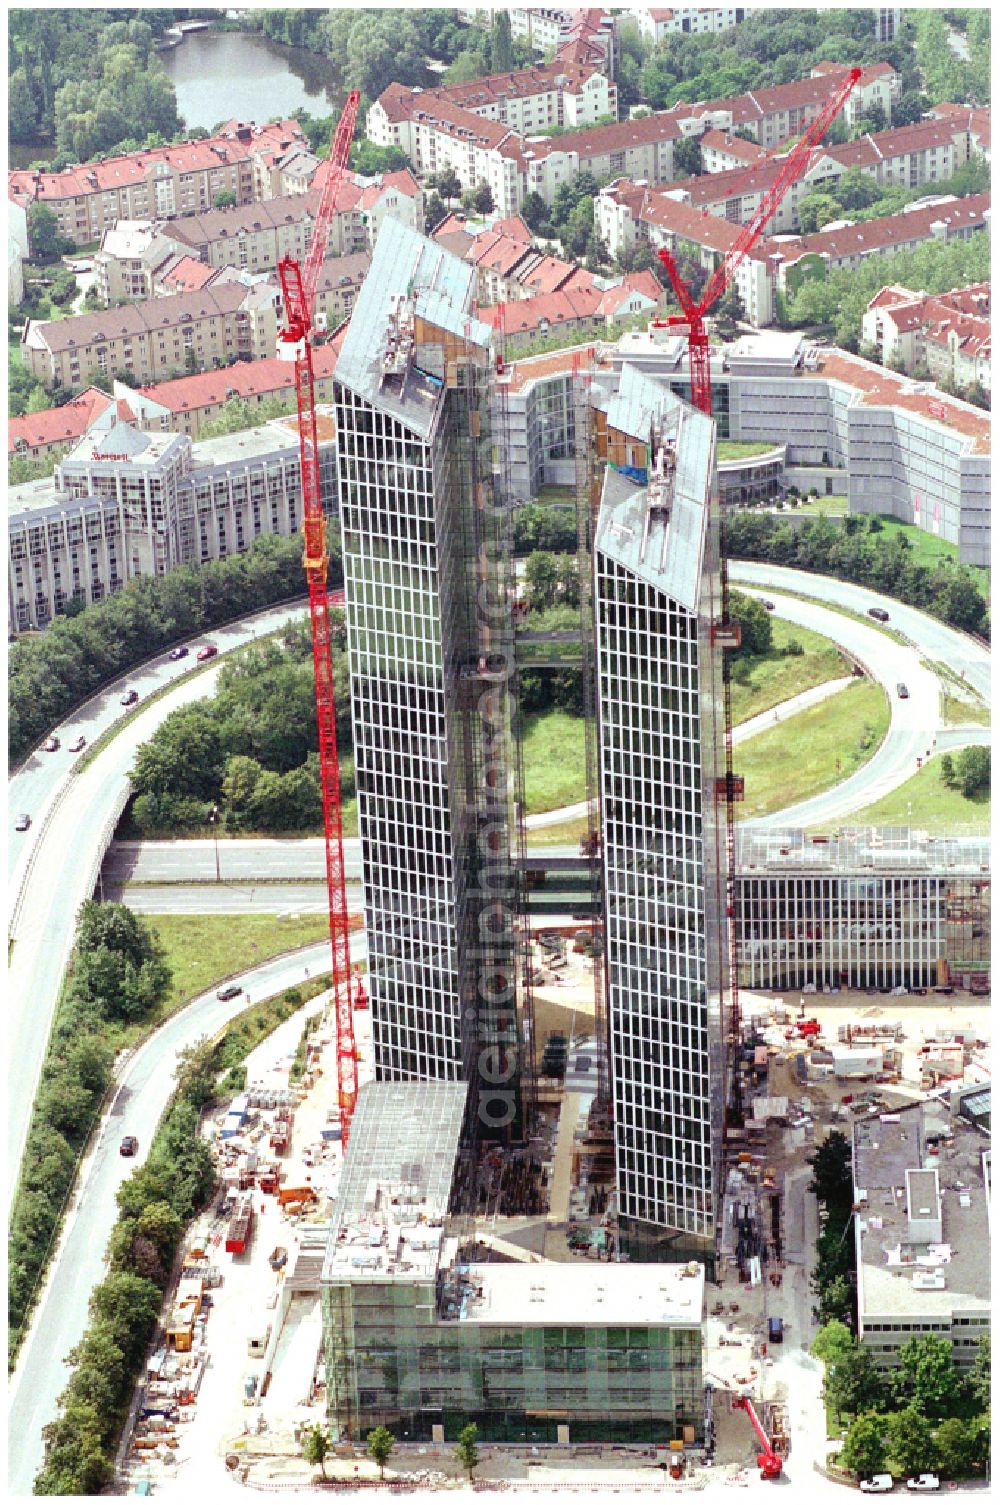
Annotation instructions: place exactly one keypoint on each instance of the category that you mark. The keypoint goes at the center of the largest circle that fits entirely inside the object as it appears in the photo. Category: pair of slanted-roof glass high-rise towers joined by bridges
(451, 886)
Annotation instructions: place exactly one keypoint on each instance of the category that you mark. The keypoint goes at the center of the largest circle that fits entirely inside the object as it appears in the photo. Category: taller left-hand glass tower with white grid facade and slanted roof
(424, 549)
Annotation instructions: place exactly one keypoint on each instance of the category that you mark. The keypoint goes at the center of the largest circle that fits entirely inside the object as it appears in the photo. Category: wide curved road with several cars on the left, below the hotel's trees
(59, 868)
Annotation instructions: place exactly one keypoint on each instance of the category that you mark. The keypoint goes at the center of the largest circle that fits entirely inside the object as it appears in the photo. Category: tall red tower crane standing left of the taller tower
(299, 291)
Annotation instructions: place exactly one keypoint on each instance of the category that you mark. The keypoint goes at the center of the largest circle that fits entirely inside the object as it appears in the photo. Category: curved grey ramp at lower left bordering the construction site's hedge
(145, 1087)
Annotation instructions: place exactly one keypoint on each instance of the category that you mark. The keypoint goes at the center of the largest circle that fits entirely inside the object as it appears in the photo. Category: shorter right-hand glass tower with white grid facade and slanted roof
(660, 728)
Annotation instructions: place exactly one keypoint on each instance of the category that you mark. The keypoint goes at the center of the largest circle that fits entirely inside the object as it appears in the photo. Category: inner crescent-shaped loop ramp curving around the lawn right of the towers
(913, 722)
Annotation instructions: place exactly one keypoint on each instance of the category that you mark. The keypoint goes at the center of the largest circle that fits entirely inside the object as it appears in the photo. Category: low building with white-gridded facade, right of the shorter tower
(868, 910)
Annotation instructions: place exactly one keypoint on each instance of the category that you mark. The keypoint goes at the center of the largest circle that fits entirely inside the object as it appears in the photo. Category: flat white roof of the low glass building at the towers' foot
(585, 1295)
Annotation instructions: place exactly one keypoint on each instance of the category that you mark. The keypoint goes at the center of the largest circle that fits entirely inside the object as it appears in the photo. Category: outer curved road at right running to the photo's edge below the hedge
(936, 642)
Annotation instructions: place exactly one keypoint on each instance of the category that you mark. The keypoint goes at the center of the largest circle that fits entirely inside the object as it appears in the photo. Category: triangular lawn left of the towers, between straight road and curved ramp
(204, 949)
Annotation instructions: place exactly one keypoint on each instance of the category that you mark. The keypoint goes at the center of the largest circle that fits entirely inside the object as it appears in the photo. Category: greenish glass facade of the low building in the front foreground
(392, 1361)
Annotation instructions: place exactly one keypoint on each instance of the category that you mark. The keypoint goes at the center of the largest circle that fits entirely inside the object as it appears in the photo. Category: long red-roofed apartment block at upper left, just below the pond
(157, 183)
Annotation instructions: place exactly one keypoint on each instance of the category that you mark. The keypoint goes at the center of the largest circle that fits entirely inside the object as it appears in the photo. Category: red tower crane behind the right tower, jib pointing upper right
(694, 317)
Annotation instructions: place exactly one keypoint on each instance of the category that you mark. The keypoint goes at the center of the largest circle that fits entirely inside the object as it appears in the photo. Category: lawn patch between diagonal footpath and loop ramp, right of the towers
(812, 752)
